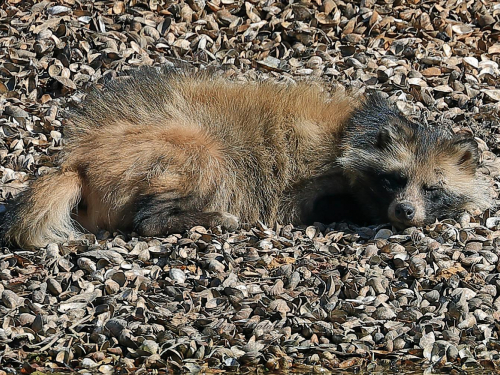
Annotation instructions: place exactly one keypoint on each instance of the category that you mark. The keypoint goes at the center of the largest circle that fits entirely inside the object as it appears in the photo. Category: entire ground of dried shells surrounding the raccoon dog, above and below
(311, 299)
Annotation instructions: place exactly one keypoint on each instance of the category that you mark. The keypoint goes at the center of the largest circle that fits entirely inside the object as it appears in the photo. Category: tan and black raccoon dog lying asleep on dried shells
(161, 151)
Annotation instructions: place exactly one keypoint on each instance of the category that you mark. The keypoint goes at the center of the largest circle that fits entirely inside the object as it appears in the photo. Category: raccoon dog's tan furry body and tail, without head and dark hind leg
(215, 140)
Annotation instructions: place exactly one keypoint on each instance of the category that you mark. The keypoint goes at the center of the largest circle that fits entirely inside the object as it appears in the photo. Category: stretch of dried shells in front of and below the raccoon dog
(316, 298)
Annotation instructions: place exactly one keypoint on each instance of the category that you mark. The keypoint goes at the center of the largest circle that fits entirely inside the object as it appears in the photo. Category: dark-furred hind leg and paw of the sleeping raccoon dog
(159, 215)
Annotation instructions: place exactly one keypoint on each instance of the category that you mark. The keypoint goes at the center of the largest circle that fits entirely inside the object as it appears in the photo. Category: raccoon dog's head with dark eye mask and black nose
(407, 173)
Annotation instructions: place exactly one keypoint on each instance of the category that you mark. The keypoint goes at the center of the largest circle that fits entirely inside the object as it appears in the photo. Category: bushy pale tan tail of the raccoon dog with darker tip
(42, 213)
